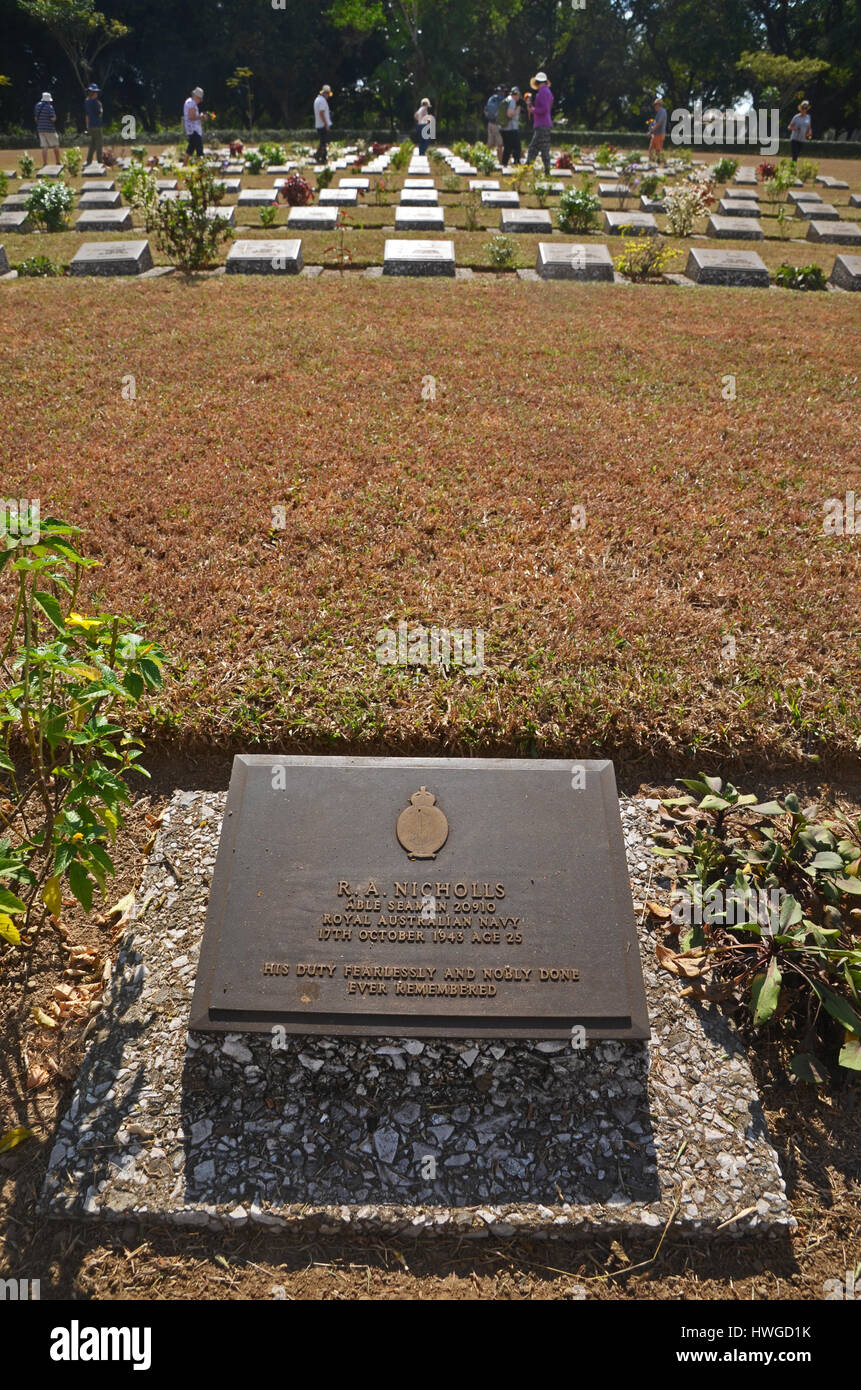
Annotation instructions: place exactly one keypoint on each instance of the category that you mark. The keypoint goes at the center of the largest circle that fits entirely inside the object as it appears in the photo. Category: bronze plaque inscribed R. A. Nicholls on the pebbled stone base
(421, 897)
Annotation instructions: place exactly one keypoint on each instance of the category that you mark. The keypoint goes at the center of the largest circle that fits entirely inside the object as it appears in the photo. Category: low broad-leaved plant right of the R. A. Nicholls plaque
(778, 921)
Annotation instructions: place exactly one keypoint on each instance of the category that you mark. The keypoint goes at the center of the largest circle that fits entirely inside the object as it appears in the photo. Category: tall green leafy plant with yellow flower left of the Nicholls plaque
(67, 682)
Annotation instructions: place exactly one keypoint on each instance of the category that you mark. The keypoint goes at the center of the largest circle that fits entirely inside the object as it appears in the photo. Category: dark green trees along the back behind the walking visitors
(607, 60)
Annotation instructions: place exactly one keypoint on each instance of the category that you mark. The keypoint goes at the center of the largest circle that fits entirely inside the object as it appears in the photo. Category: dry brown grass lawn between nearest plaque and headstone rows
(700, 612)
